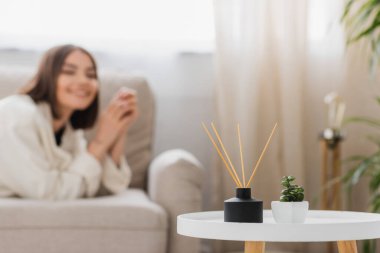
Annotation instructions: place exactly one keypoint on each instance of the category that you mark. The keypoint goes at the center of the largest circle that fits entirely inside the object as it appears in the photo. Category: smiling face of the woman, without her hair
(77, 84)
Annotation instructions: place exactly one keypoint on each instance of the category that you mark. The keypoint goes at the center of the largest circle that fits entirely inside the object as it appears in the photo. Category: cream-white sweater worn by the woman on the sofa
(33, 166)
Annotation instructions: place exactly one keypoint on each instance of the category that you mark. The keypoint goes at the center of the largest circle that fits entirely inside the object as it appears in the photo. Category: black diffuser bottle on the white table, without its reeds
(243, 208)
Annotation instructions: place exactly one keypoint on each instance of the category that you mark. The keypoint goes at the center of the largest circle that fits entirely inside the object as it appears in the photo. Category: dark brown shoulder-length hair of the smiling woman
(43, 86)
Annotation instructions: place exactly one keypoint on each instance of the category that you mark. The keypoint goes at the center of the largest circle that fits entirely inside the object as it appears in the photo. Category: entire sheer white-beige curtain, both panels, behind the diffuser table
(275, 61)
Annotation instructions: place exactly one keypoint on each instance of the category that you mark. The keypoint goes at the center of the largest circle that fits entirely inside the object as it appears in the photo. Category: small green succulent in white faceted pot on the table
(291, 208)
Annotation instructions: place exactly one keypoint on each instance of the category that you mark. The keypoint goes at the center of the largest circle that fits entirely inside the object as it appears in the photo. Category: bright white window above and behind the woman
(108, 25)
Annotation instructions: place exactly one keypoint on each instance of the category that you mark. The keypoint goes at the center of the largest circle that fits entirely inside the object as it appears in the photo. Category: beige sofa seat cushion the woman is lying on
(131, 210)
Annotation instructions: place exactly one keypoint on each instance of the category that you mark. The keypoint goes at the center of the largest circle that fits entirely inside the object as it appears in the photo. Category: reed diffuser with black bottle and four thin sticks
(242, 208)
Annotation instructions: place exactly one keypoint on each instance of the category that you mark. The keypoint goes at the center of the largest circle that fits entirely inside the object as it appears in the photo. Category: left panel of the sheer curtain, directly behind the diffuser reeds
(260, 61)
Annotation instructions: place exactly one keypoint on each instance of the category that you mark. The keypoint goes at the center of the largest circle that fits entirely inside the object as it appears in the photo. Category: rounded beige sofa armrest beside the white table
(175, 182)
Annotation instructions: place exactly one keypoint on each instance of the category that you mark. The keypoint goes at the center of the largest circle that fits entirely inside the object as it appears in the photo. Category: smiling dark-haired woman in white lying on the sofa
(43, 153)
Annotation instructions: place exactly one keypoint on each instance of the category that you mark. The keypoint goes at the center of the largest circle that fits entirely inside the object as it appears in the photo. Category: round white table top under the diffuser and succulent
(319, 226)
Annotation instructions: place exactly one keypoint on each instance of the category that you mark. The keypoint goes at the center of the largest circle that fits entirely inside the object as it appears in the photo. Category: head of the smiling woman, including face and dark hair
(76, 86)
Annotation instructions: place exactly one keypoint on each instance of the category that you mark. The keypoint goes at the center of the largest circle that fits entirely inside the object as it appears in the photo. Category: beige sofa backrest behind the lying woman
(139, 141)
